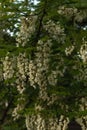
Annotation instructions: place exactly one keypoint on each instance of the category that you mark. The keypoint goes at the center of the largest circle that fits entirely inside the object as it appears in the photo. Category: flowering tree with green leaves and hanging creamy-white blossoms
(44, 73)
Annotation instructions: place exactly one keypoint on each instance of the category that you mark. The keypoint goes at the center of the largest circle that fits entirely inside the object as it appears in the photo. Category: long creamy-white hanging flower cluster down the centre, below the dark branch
(42, 60)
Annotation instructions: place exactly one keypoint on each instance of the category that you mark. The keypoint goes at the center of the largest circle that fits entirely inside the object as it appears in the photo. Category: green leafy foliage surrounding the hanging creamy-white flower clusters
(68, 89)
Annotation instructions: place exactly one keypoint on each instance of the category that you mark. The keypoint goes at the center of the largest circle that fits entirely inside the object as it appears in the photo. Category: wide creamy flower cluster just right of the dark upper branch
(55, 31)
